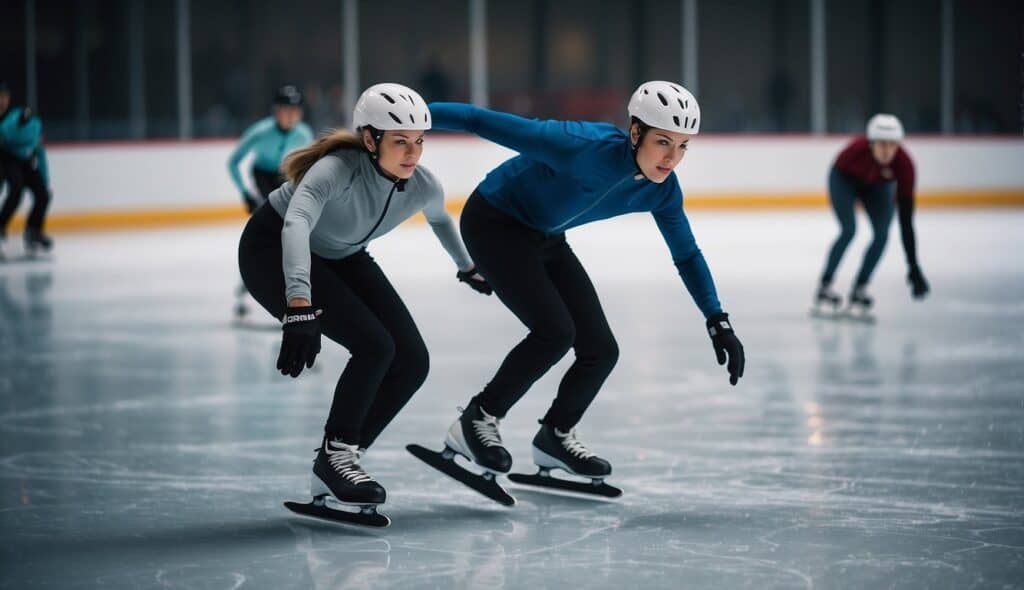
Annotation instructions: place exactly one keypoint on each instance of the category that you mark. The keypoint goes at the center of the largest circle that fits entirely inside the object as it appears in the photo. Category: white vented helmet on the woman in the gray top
(388, 107)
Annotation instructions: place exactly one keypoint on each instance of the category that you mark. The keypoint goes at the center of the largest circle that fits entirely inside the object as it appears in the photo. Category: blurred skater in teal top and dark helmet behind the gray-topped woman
(270, 141)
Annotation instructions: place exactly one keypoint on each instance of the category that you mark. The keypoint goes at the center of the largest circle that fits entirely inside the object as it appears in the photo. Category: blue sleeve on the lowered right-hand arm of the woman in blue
(686, 255)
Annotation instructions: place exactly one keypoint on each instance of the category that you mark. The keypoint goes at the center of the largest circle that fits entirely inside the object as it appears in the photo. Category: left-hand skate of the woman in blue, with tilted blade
(476, 437)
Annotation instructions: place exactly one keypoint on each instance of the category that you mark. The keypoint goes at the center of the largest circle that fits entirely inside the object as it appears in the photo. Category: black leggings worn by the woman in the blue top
(540, 279)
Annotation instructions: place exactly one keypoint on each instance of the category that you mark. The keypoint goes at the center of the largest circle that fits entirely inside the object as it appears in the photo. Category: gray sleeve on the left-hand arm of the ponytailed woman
(324, 182)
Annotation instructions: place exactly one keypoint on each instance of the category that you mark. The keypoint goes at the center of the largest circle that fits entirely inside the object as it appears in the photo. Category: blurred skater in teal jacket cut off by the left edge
(23, 160)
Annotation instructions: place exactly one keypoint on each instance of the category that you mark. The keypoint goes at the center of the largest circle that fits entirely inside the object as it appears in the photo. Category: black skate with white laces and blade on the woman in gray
(338, 477)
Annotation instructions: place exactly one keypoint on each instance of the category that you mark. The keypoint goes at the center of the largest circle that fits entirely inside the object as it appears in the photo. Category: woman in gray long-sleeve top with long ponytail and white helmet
(304, 258)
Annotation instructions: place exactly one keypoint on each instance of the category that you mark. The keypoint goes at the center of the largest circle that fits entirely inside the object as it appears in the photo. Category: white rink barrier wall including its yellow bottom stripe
(119, 186)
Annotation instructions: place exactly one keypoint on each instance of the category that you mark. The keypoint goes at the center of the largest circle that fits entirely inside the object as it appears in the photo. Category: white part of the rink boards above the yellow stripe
(190, 176)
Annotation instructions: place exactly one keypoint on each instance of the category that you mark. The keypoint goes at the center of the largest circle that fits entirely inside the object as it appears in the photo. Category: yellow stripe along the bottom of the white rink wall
(149, 219)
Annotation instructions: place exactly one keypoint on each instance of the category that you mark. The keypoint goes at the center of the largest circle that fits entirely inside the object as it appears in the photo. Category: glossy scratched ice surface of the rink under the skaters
(148, 443)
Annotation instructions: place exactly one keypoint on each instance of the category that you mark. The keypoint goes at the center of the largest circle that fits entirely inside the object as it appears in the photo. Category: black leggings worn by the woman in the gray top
(362, 312)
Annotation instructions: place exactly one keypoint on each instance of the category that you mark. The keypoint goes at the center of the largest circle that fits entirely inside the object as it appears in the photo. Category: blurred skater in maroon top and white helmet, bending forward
(878, 172)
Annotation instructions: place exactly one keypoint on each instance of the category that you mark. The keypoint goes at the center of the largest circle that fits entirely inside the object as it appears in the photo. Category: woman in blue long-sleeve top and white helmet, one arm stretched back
(569, 174)
